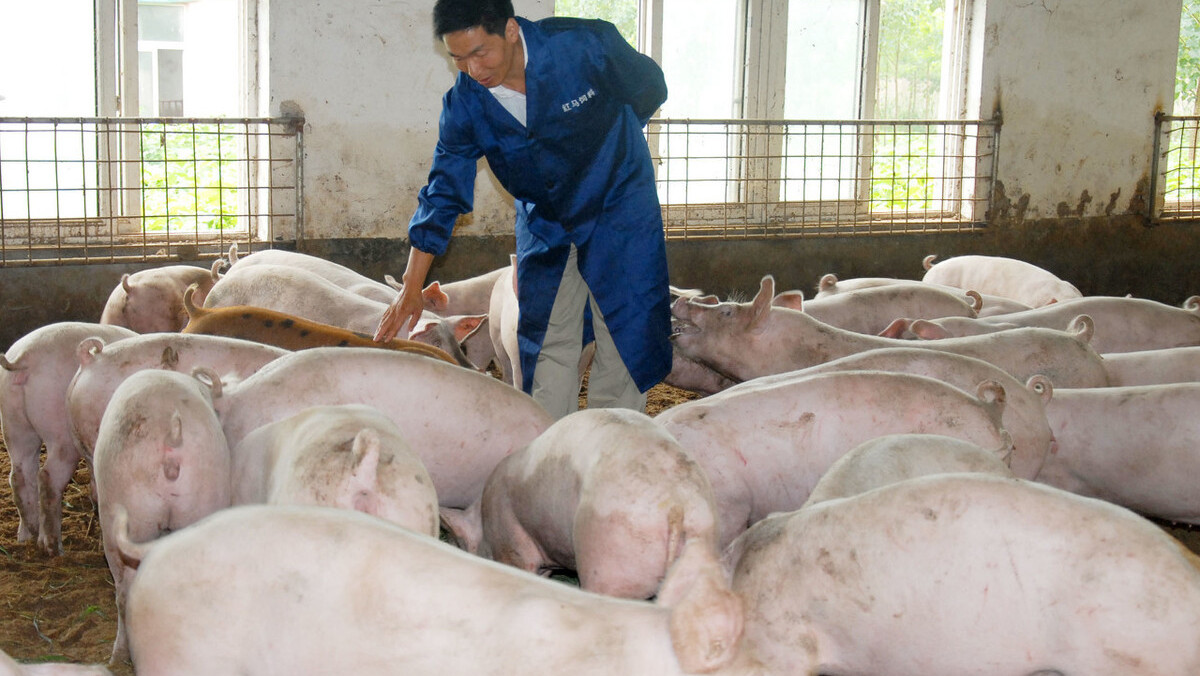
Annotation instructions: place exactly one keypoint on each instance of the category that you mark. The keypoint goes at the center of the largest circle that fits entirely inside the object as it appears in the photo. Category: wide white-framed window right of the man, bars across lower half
(794, 115)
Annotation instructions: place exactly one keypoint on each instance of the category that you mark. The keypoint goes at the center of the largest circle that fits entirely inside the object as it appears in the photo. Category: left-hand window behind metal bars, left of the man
(94, 152)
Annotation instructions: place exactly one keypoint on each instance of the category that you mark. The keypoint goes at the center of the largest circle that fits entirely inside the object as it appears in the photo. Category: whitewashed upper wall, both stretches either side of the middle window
(1078, 81)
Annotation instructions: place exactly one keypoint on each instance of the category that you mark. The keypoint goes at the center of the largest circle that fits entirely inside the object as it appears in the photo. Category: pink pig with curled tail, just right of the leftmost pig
(104, 368)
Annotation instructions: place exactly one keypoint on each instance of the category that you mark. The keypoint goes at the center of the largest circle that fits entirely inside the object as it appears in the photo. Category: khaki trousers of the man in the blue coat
(556, 379)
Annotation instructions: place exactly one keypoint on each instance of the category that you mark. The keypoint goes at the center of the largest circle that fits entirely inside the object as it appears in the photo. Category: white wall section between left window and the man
(369, 77)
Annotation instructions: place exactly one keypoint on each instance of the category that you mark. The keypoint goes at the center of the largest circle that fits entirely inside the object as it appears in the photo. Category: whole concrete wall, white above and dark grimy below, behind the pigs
(1078, 82)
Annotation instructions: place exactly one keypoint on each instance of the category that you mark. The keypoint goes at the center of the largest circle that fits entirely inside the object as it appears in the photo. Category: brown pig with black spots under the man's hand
(292, 333)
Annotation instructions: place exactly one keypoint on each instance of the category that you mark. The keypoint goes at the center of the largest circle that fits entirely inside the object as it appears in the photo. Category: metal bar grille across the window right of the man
(733, 180)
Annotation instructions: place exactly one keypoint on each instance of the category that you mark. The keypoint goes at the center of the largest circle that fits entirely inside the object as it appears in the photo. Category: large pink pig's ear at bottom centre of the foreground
(707, 619)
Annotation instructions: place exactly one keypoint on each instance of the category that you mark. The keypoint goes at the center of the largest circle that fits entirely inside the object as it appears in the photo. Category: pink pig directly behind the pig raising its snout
(872, 310)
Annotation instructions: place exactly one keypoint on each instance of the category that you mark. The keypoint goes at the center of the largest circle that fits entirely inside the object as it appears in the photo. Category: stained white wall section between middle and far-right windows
(1079, 83)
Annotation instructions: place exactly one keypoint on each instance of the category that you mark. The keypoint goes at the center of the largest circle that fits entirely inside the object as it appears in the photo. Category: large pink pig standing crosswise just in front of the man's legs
(461, 423)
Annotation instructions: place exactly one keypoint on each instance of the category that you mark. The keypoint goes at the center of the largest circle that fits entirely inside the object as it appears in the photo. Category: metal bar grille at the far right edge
(1175, 171)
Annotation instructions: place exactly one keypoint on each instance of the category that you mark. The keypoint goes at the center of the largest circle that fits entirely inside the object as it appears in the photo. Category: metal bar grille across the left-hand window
(105, 190)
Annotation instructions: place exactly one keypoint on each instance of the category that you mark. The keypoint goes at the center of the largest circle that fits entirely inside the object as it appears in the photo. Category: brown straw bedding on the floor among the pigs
(63, 608)
